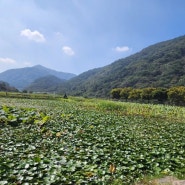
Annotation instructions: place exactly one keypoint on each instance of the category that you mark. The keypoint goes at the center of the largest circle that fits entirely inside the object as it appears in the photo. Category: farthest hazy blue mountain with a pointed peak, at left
(23, 77)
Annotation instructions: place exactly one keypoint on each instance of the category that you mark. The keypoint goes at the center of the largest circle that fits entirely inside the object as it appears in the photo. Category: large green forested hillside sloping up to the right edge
(159, 65)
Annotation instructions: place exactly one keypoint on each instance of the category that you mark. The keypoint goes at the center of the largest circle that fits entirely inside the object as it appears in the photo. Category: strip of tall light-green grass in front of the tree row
(147, 110)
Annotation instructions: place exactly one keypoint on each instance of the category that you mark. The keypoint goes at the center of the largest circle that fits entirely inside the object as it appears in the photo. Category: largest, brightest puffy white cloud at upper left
(33, 35)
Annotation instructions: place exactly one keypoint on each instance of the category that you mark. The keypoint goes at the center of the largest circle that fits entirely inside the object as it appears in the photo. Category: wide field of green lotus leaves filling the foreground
(88, 141)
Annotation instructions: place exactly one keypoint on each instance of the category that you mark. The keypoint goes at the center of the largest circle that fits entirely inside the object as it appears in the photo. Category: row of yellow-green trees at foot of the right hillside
(172, 95)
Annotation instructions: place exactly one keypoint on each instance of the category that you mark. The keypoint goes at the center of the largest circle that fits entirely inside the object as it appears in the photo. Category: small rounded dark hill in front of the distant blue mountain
(45, 84)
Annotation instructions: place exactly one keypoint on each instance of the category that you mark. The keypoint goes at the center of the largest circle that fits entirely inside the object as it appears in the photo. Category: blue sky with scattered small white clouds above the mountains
(78, 35)
